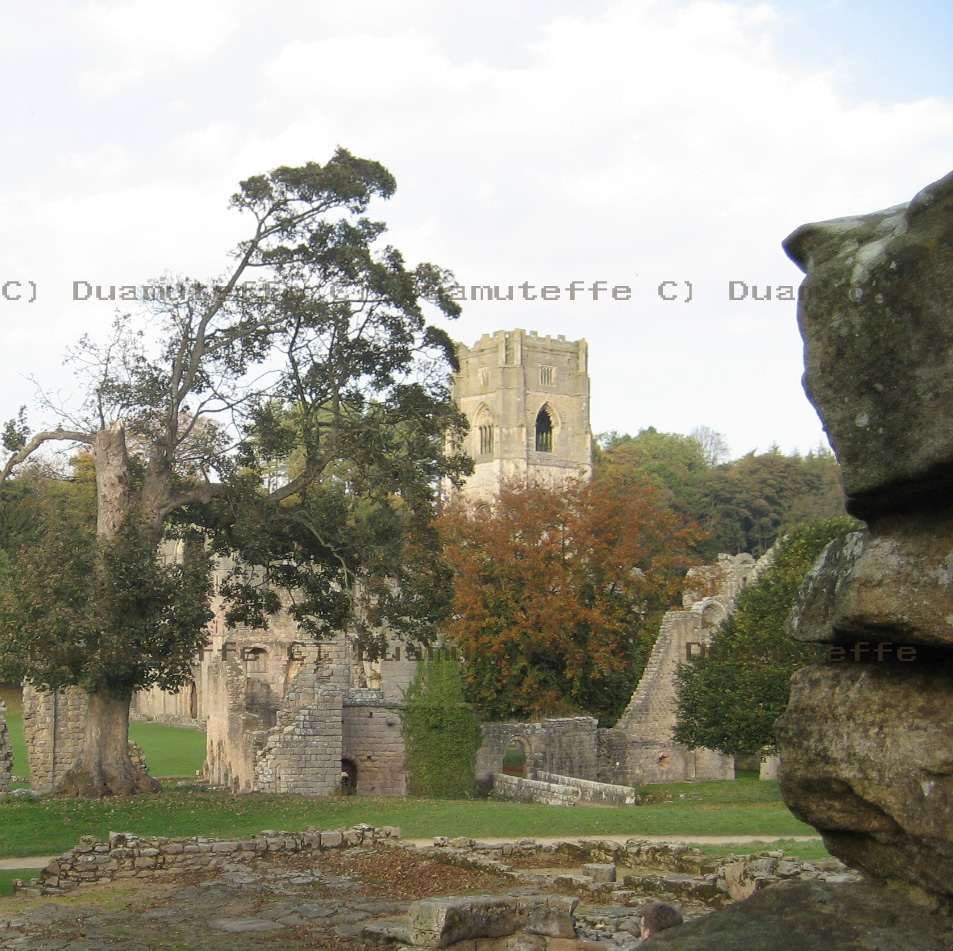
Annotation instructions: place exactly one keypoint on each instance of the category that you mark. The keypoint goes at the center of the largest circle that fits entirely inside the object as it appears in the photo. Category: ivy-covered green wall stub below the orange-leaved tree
(441, 733)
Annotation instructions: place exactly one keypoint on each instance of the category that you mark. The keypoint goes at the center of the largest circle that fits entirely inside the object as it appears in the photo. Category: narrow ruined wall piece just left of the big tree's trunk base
(54, 725)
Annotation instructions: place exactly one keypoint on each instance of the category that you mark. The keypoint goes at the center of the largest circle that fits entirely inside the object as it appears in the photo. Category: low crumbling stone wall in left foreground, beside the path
(131, 856)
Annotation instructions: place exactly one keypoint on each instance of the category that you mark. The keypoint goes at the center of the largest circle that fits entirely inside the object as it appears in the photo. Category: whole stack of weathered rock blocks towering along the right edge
(867, 740)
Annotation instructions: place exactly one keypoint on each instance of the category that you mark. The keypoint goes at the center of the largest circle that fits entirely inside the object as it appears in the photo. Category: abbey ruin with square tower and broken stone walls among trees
(284, 713)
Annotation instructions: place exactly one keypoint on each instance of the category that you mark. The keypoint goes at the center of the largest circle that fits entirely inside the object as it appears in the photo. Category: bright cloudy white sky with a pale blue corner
(631, 142)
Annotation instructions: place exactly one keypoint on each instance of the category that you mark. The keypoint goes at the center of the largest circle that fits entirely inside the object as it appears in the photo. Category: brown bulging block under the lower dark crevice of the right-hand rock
(872, 766)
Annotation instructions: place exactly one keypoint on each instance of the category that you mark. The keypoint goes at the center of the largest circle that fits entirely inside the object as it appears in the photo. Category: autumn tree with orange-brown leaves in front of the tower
(558, 592)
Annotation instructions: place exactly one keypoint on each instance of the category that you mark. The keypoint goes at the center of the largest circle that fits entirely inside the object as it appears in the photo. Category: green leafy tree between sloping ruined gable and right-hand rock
(730, 698)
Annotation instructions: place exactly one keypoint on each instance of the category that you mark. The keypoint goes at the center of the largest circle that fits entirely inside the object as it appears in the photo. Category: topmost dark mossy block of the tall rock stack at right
(878, 340)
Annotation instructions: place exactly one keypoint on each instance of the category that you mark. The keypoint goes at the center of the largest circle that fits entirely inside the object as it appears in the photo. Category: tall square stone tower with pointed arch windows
(527, 401)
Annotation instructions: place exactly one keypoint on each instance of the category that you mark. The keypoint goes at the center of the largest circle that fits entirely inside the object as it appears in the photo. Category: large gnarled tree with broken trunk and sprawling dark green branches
(181, 423)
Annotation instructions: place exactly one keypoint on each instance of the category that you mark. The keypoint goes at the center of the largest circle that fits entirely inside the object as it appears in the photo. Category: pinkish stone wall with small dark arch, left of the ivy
(373, 742)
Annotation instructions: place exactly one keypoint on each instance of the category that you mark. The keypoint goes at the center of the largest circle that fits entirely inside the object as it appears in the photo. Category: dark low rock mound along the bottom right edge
(815, 916)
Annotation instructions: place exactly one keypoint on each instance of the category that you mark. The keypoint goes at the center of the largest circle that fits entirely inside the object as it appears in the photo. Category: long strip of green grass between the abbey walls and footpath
(48, 826)
